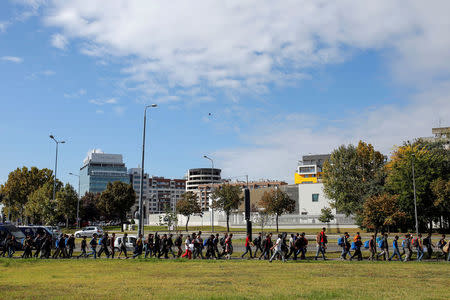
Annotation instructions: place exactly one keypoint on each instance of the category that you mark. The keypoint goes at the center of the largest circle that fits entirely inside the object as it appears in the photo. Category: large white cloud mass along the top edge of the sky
(245, 45)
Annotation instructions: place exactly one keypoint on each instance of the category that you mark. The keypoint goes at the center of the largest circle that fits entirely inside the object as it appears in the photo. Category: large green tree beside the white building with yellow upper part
(351, 175)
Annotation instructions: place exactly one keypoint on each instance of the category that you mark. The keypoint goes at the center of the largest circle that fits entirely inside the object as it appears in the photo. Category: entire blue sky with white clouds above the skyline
(253, 84)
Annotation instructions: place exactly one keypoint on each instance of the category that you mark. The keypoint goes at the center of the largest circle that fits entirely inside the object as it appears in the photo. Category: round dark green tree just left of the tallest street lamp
(116, 201)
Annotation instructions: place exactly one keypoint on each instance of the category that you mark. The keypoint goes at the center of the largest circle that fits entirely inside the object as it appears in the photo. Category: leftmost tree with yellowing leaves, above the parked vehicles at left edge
(22, 183)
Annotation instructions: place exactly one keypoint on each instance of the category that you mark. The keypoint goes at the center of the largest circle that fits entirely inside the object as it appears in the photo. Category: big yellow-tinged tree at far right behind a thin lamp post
(431, 162)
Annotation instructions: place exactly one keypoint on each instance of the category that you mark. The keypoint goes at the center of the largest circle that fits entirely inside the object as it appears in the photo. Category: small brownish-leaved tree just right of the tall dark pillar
(276, 202)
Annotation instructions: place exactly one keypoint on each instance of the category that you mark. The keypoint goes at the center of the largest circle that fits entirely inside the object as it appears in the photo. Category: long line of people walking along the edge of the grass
(194, 246)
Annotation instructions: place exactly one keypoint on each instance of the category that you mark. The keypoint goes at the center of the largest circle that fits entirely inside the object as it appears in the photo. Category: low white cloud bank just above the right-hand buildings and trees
(275, 148)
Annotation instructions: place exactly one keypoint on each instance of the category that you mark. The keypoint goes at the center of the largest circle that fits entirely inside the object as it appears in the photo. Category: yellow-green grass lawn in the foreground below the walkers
(238, 279)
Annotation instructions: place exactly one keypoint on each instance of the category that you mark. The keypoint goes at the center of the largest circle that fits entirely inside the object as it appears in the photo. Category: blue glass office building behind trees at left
(99, 169)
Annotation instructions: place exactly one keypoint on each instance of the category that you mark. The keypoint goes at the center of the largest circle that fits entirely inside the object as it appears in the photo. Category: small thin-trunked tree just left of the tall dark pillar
(227, 198)
